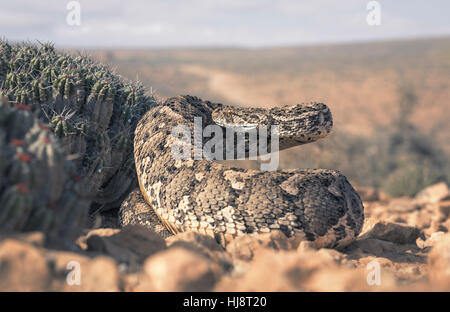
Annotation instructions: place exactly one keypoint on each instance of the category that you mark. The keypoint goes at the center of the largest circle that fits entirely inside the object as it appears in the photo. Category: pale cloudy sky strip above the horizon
(247, 23)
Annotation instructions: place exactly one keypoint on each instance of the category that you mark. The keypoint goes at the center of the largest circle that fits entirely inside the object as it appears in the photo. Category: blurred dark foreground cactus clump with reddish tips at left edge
(36, 189)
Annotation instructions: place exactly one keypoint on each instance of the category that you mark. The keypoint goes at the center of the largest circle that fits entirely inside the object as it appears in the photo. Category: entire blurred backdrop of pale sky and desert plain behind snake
(383, 67)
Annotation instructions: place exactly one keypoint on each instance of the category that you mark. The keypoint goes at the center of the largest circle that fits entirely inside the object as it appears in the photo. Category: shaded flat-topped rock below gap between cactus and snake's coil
(131, 245)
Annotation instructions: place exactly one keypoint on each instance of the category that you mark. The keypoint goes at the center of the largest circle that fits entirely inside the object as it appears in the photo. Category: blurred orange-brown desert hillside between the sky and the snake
(370, 87)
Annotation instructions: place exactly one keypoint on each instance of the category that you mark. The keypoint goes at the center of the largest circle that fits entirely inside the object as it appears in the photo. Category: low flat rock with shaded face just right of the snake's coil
(392, 232)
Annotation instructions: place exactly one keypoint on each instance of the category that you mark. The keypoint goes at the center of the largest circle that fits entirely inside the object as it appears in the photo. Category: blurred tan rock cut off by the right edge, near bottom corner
(439, 264)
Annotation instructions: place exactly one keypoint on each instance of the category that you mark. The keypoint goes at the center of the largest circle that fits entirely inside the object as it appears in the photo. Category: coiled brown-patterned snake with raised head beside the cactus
(215, 199)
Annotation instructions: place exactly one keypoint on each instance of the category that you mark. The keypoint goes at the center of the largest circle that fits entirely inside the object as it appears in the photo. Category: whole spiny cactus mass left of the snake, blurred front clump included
(66, 138)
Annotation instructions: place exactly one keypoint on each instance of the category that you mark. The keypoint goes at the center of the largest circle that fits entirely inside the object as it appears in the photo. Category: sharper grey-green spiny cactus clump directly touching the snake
(91, 110)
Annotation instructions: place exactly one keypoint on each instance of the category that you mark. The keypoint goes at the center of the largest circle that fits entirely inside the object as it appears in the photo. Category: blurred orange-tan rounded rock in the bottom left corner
(23, 267)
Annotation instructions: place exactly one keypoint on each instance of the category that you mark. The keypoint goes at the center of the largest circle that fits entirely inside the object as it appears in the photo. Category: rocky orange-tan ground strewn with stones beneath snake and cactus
(404, 246)
